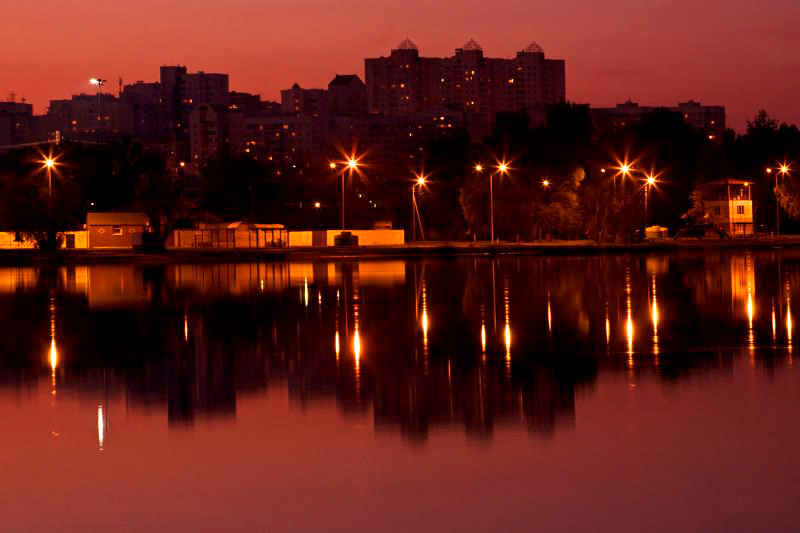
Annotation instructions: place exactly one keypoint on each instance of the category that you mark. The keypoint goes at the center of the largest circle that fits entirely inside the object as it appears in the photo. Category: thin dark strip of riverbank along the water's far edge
(410, 250)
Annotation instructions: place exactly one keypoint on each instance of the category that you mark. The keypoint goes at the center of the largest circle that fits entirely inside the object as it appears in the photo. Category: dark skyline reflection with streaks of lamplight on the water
(192, 339)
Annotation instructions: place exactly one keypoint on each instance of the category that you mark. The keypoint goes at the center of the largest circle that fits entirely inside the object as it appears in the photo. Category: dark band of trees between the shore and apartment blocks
(563, 181)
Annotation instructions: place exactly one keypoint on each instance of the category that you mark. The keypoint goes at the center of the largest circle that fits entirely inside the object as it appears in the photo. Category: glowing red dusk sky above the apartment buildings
(737, 53)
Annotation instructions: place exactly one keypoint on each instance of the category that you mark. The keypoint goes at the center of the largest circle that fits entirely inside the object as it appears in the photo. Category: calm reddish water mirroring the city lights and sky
(624, 393)
